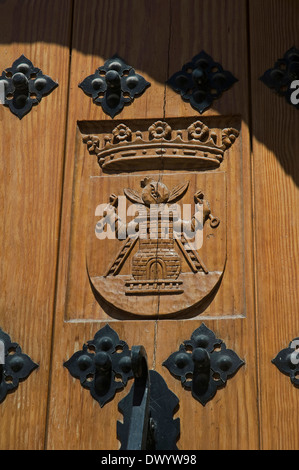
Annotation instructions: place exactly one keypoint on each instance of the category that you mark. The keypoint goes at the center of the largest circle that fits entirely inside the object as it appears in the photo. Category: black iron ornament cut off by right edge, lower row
(287, 361)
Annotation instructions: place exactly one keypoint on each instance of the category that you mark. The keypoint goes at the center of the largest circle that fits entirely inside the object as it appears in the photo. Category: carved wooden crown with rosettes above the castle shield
(195, 148)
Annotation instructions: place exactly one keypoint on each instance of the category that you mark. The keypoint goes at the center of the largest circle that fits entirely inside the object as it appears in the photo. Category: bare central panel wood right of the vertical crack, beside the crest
(230, 420)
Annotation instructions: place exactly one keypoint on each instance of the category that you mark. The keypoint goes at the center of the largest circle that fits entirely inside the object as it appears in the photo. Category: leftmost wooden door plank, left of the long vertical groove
(32, 153)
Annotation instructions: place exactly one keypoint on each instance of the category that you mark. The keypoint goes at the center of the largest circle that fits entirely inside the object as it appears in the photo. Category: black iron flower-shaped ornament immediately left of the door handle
(100, 363)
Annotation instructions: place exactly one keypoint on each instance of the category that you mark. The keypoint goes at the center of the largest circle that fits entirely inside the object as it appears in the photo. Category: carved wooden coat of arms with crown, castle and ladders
(158, 232)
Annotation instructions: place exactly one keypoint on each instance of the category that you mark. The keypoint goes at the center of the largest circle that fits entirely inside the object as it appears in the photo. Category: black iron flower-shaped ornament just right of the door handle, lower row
(206, 359)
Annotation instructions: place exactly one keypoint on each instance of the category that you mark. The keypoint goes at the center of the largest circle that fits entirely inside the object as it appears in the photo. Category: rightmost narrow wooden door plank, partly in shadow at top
(274, 29)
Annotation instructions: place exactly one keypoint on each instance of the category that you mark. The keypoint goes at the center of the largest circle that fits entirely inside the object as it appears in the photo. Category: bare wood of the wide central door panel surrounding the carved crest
(156, 39)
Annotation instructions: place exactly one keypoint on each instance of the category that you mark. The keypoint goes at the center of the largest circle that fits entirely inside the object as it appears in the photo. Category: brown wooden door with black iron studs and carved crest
(51, 185)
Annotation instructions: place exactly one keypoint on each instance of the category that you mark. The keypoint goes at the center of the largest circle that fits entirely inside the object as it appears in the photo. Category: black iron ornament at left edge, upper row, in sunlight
(24, 86)
